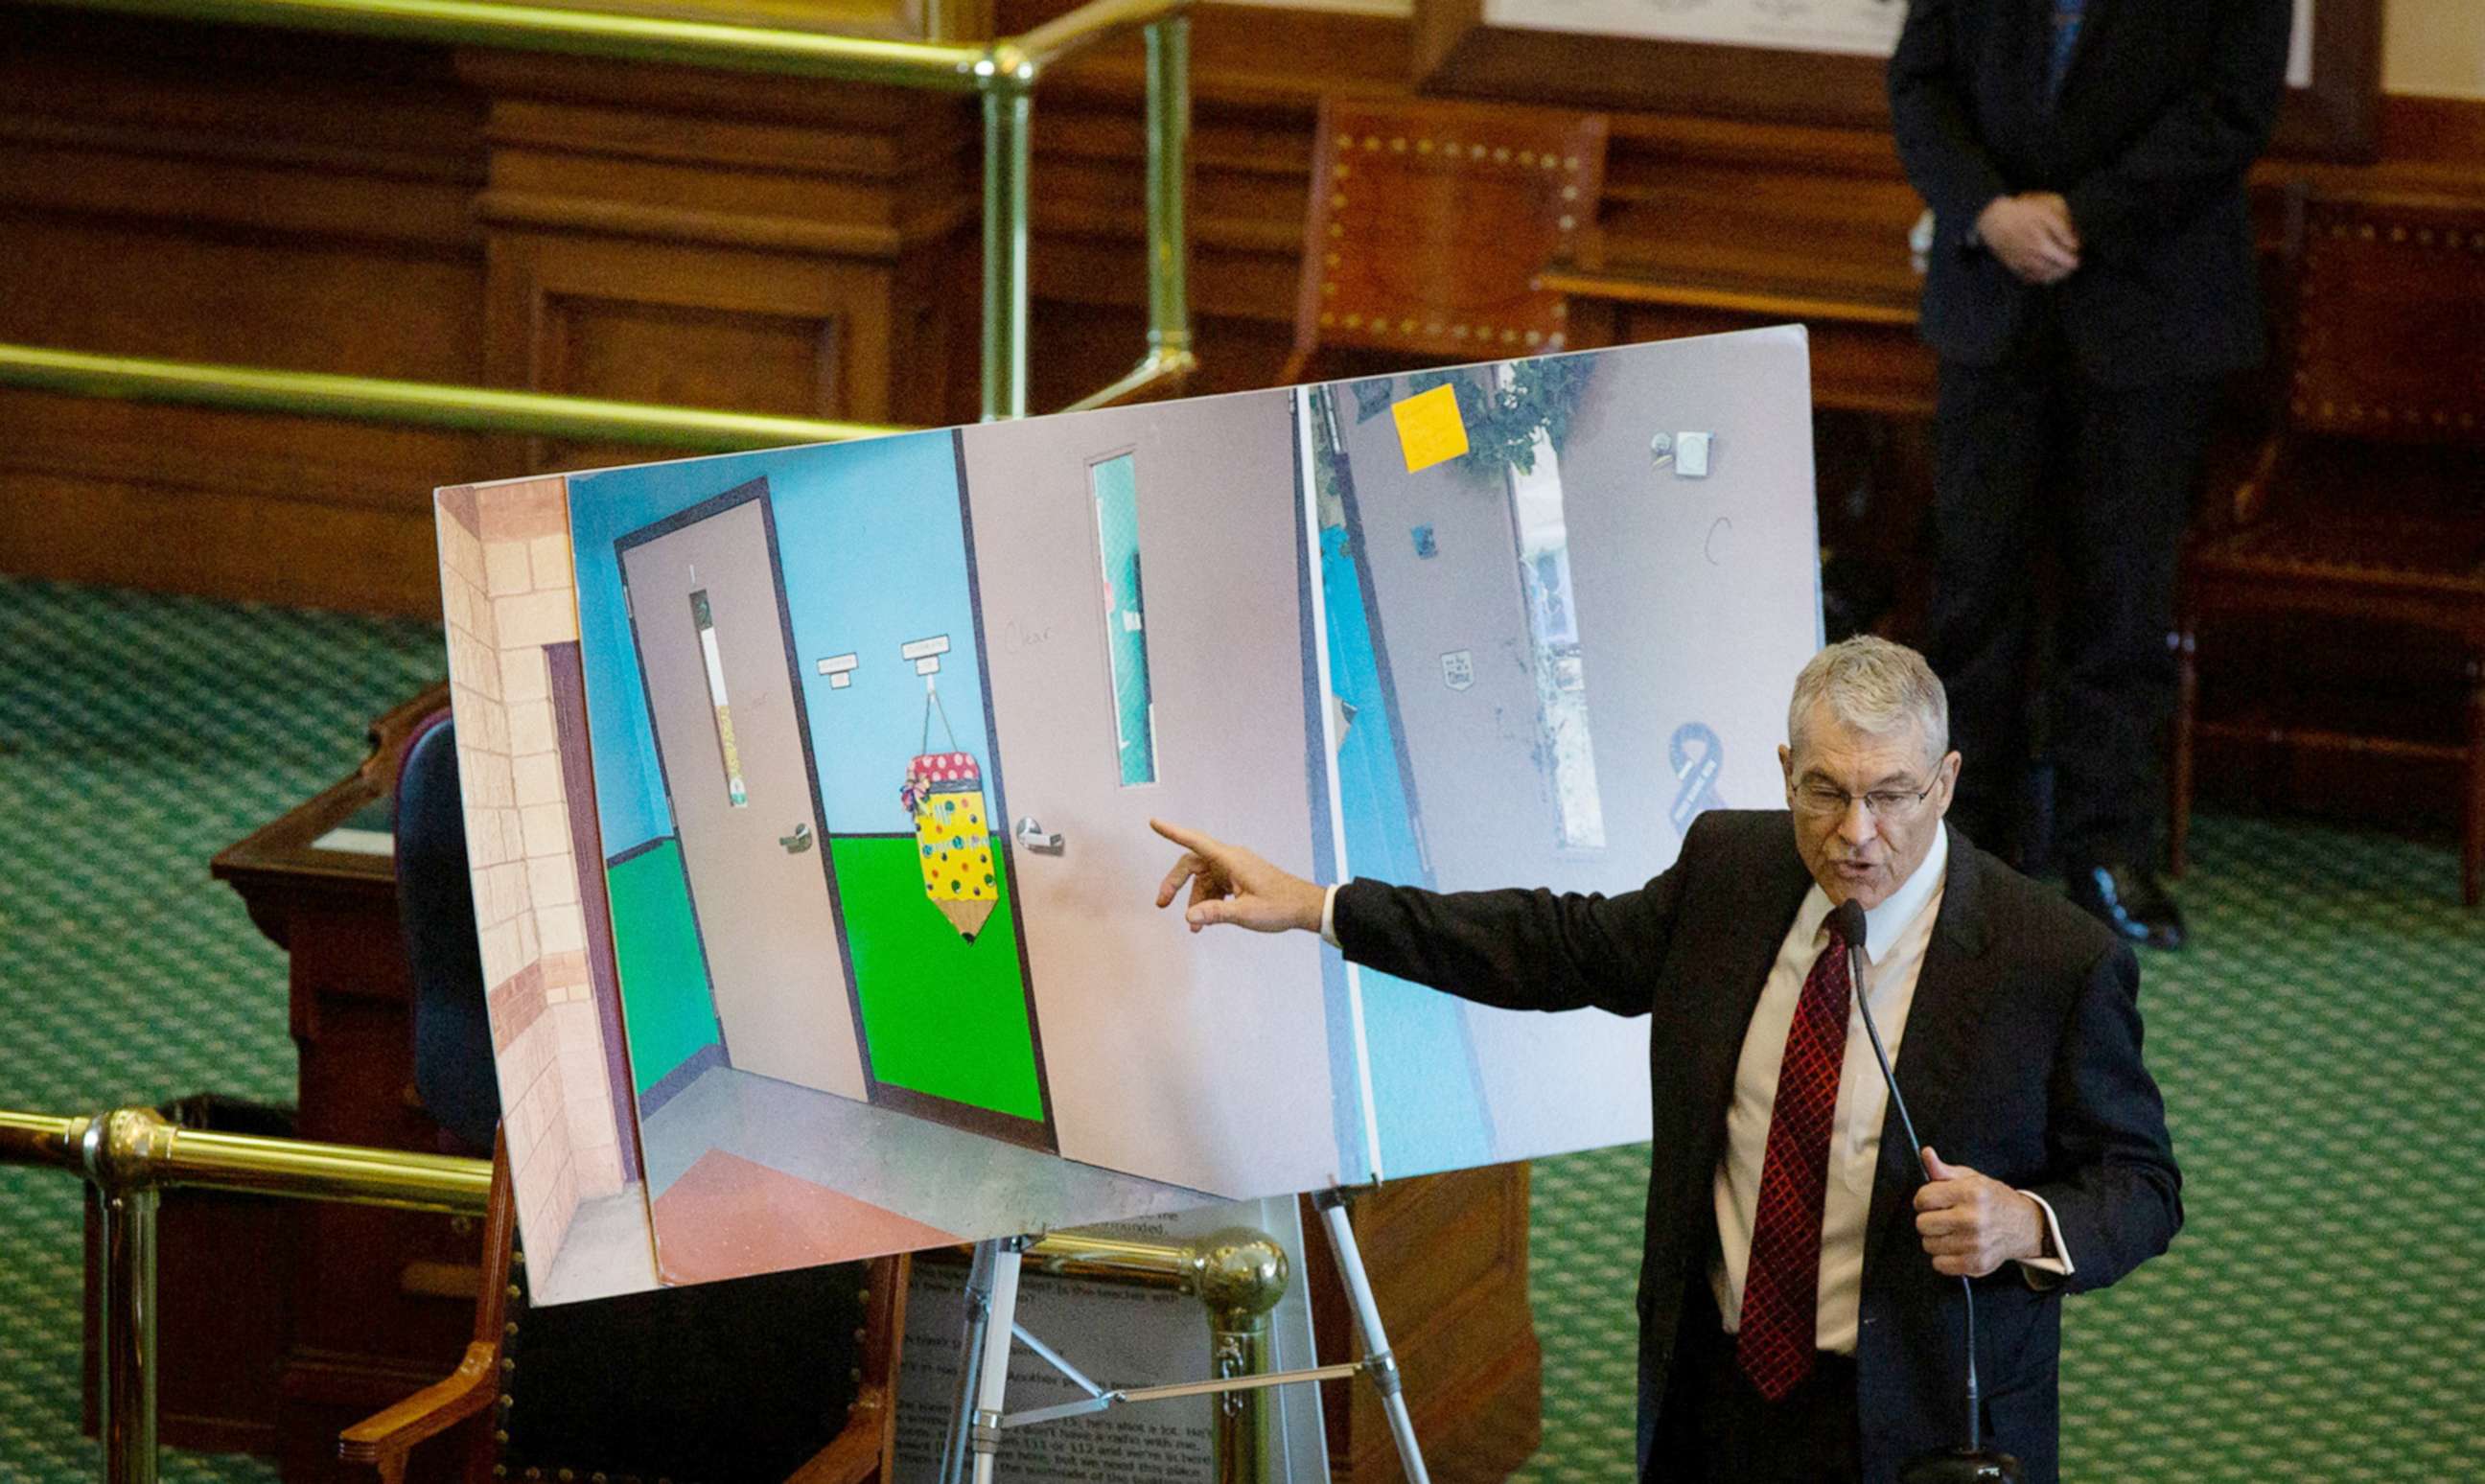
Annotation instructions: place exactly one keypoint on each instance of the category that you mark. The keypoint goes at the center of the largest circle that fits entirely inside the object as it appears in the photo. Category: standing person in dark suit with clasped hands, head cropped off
(2091, 285)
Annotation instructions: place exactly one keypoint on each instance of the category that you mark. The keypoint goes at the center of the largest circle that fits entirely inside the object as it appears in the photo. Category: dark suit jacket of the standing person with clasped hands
(2161, 116)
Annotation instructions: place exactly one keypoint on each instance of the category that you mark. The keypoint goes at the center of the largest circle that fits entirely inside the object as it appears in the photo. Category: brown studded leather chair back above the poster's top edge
(1430, 225)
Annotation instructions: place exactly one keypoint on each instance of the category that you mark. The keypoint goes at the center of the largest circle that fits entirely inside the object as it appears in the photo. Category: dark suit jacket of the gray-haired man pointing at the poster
(2022, 1060)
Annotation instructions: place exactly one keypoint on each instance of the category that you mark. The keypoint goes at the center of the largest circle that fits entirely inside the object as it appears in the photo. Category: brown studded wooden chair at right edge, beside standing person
(2367, 506)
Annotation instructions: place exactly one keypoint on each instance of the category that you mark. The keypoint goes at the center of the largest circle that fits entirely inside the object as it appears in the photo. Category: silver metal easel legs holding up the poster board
(983, 1376)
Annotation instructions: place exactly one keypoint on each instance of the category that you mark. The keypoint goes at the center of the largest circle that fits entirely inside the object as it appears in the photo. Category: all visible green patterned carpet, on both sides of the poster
(2320, 1048)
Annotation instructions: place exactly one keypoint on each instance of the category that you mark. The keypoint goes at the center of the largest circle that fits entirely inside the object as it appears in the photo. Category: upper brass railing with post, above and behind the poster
(1003, 71)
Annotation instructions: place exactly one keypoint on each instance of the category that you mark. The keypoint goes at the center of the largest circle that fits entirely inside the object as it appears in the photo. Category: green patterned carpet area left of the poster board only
(138, 737)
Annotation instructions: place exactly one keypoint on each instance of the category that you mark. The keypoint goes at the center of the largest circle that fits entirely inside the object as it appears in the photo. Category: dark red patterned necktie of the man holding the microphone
(1783, 1281)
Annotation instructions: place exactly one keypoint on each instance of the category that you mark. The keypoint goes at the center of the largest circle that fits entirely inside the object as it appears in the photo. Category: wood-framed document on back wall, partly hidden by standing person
(1810, 61)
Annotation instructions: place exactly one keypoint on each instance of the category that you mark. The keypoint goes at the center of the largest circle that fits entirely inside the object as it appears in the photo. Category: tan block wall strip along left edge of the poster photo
(508, 593)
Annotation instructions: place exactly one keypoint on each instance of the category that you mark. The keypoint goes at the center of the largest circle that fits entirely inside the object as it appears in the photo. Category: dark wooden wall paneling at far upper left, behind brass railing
(252, 200)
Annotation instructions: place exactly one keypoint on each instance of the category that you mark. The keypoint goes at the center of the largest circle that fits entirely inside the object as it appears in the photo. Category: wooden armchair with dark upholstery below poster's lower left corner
(488, 1378)
